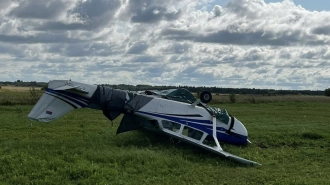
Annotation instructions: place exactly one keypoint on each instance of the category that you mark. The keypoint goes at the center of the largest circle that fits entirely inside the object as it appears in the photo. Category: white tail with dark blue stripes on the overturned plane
(61, 97)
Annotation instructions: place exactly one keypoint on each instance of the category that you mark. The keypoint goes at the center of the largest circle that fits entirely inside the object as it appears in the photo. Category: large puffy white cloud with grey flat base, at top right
(243, 22)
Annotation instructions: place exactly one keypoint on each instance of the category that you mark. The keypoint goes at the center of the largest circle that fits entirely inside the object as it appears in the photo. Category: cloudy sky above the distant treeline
(269, 44)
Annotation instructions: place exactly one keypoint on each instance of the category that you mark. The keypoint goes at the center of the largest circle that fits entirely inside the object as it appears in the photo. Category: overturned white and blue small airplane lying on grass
(174, 112)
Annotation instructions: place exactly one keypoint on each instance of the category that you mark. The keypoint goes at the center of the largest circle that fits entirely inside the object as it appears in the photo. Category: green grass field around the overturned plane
(290, 138)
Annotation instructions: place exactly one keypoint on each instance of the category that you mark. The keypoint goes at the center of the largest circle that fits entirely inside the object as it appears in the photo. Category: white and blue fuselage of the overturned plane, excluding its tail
(196, 117)
